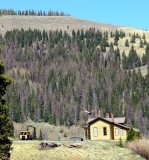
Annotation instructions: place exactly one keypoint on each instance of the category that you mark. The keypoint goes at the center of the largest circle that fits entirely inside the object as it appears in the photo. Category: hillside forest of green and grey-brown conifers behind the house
(56, 76)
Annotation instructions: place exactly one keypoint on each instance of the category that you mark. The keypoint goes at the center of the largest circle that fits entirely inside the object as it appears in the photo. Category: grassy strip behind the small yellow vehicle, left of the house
(49, 132)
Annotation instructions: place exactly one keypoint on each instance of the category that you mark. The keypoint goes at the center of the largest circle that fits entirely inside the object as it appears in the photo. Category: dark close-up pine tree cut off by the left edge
(6, 124)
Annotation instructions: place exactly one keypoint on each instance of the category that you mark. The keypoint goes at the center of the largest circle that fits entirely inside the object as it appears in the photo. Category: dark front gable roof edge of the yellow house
(108, 121)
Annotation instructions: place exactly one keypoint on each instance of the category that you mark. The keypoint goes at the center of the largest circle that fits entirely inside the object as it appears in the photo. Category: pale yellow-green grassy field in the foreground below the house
(88, 151)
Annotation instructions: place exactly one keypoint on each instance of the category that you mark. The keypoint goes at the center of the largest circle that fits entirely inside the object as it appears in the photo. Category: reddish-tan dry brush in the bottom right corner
(140, 147)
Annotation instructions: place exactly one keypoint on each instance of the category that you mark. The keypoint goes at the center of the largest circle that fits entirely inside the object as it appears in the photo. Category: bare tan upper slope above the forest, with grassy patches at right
(68, 23)
